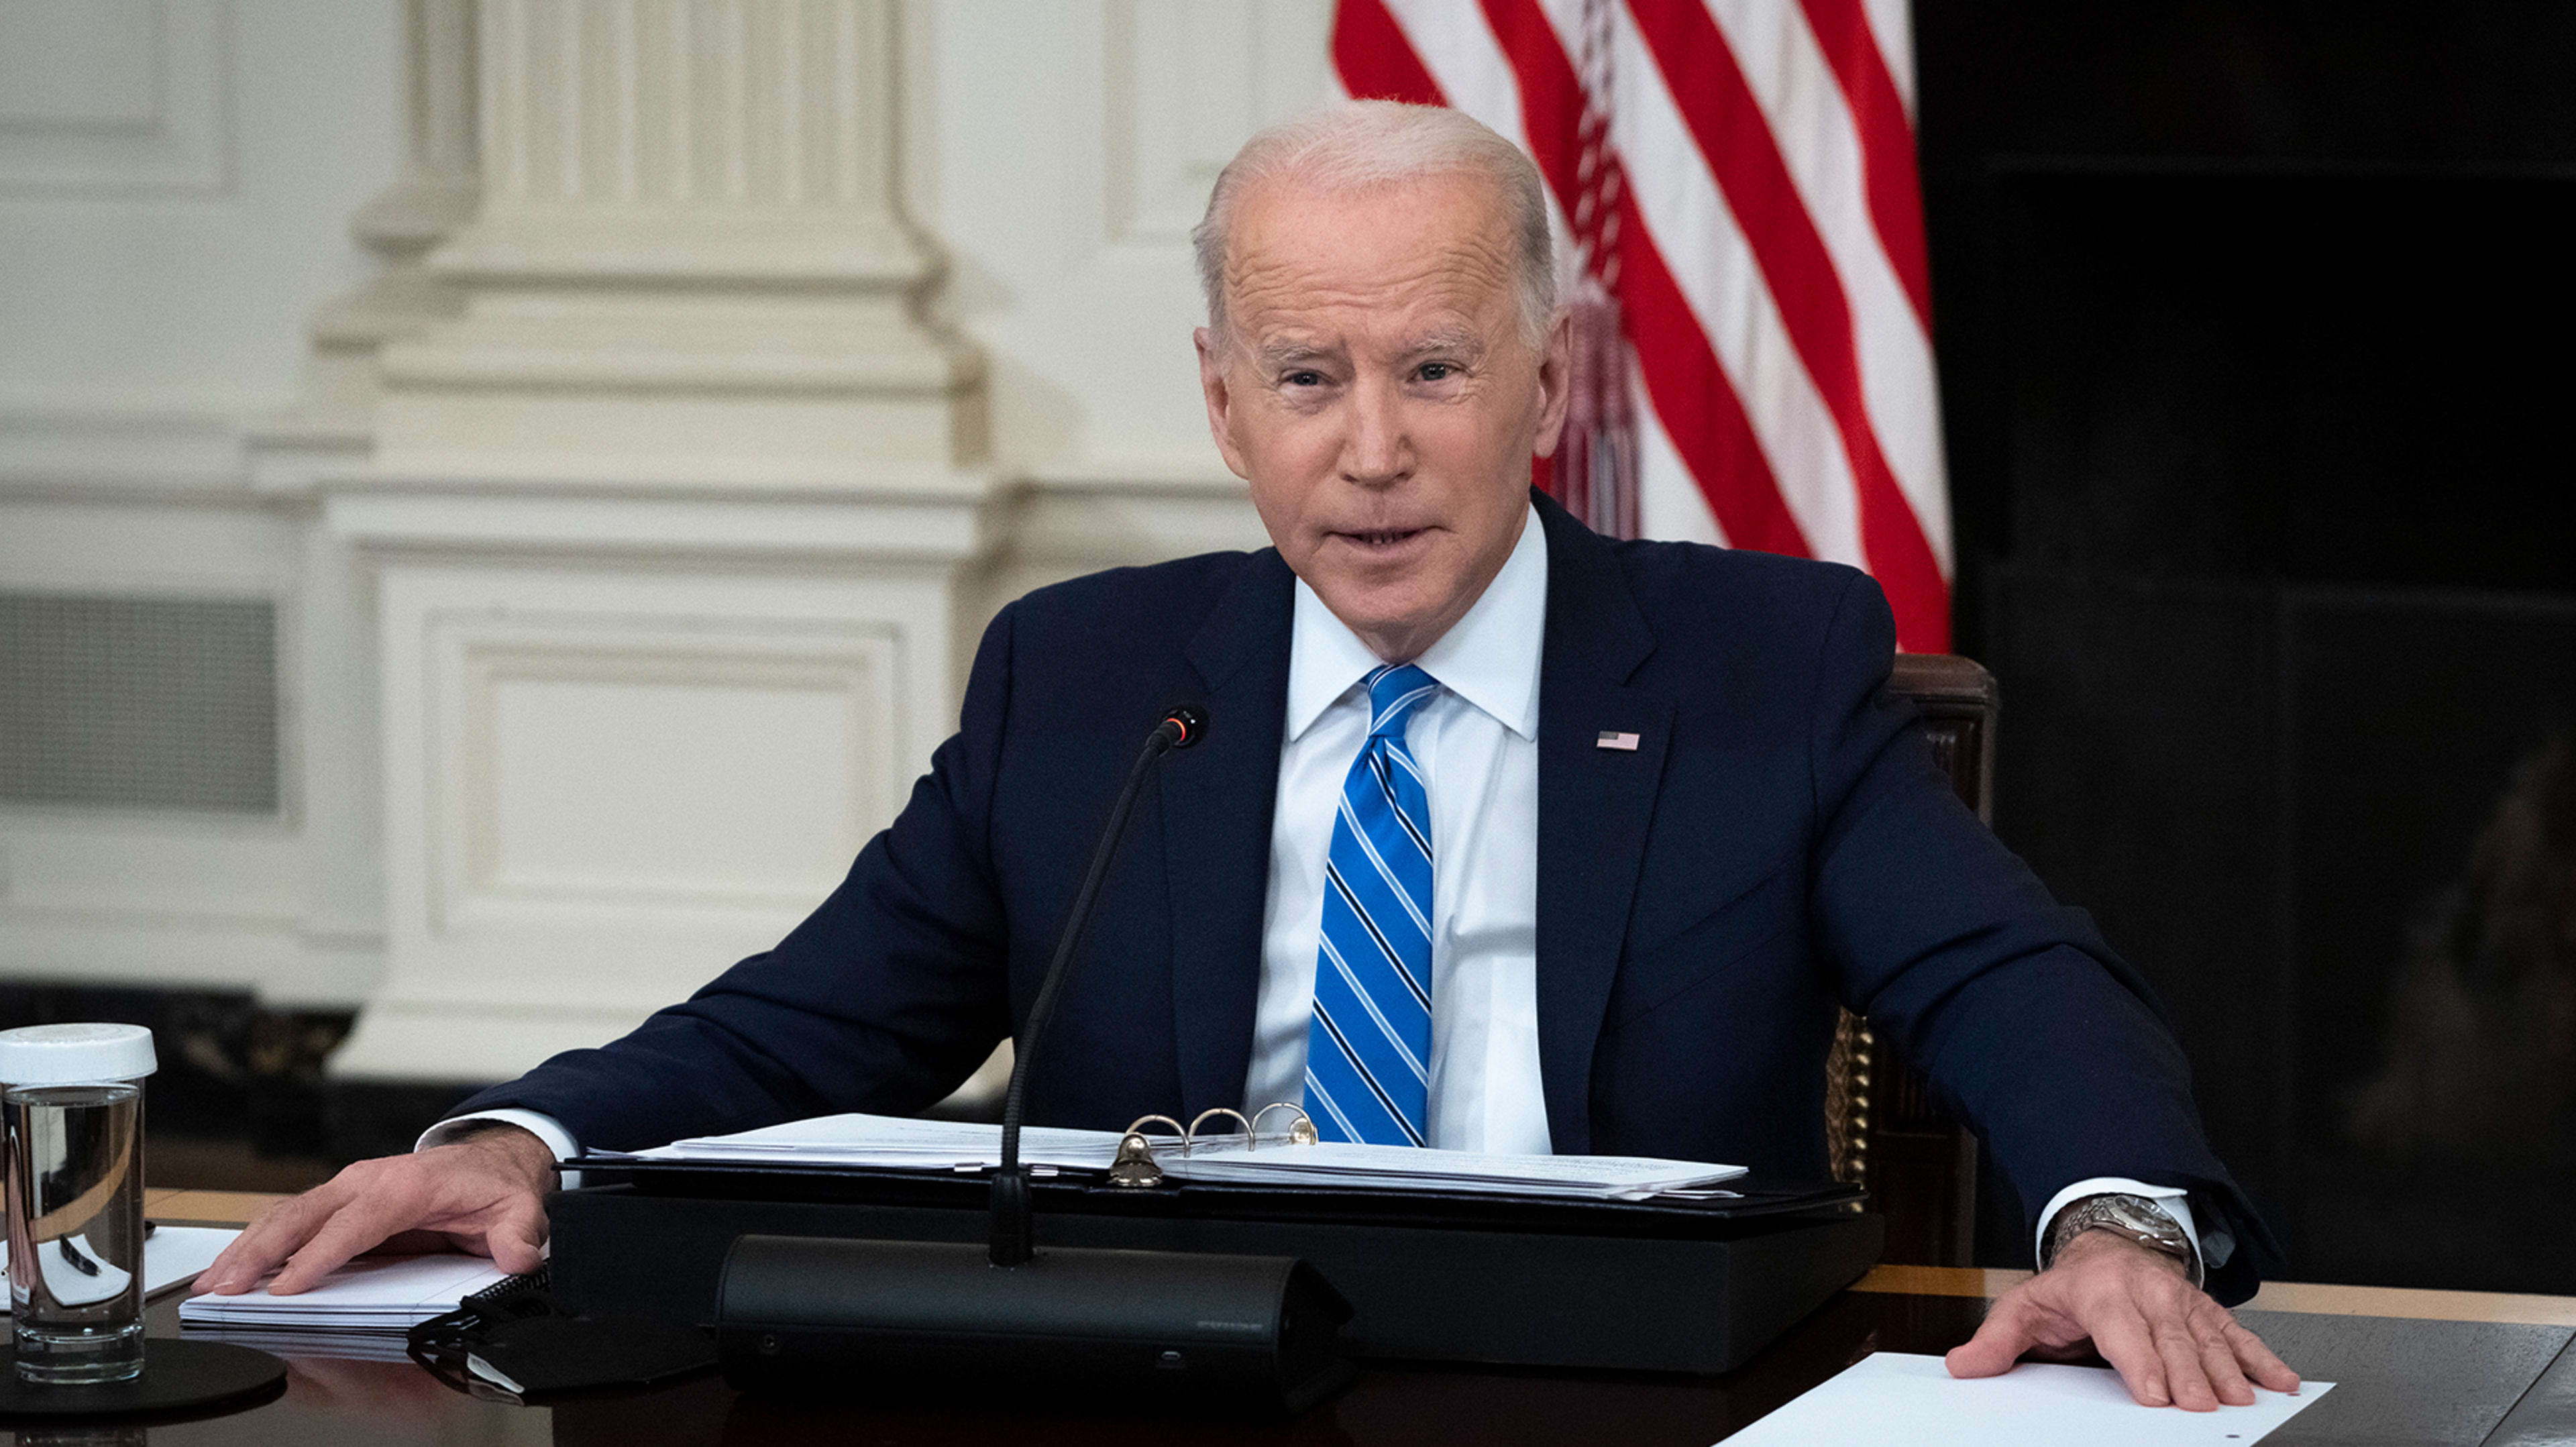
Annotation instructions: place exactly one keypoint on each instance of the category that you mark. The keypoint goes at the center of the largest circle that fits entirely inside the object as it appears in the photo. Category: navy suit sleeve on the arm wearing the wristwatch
(2029, 1026)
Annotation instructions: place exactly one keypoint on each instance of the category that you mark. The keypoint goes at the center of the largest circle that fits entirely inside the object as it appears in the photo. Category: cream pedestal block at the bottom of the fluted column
(514, 928)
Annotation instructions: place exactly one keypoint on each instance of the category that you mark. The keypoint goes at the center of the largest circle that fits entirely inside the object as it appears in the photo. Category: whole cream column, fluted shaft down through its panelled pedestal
(668, 524)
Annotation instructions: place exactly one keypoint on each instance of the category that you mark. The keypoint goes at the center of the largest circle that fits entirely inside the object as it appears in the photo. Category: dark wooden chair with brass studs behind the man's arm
(1882, 1126)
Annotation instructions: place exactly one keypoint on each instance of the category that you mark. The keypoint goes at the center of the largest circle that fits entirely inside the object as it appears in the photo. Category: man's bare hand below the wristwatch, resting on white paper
(2142, 1312)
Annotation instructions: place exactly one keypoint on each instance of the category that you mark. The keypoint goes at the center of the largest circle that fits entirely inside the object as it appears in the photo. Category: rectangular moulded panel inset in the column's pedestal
(748, 761)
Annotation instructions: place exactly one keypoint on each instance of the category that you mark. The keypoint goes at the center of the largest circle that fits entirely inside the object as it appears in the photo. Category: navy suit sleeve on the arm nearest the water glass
(882, 1000)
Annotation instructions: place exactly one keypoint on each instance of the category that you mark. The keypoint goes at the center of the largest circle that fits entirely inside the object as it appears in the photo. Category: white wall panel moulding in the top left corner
(133, 99)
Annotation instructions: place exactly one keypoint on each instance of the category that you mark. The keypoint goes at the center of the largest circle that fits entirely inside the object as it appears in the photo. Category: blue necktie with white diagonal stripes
(1369, 1049)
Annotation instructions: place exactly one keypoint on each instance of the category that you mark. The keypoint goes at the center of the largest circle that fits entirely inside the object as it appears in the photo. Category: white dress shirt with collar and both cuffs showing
(1477, 743)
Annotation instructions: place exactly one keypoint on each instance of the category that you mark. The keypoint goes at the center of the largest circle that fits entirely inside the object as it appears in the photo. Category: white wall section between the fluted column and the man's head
(1070, 148)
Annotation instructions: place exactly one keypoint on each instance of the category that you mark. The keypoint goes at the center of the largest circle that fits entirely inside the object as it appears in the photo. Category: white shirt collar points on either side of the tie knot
(1490, 658)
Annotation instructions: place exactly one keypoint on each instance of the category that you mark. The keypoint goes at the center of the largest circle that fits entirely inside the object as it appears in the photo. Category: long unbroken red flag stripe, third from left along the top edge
(1735, 138)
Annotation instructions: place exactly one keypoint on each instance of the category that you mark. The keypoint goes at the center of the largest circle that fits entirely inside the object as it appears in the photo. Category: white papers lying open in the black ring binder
(965, 1147)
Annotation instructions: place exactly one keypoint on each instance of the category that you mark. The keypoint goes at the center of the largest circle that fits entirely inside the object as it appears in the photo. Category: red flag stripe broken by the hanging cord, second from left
(1691, 393)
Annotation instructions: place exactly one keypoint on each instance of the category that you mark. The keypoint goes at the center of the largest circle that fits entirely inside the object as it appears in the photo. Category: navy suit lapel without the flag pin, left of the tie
(1217, 807)
